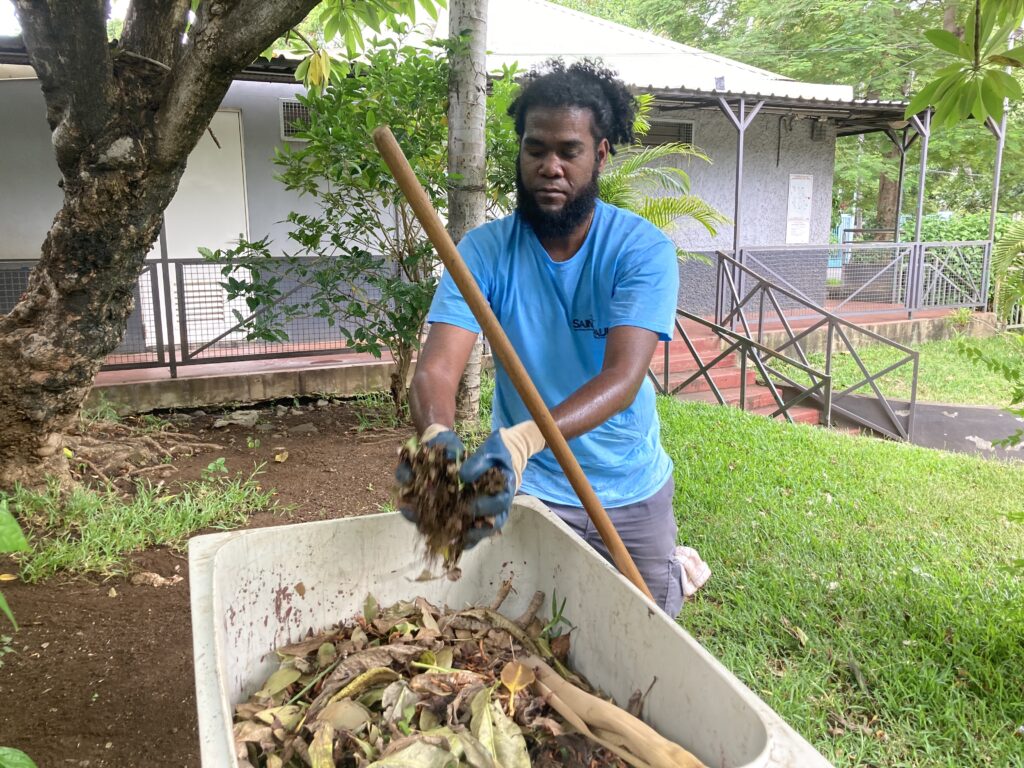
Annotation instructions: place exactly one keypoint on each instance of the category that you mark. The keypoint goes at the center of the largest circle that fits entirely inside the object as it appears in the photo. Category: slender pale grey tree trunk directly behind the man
(467, 156)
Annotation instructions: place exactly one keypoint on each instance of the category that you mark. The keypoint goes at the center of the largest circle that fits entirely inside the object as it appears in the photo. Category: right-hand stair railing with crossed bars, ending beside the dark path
(742, 291)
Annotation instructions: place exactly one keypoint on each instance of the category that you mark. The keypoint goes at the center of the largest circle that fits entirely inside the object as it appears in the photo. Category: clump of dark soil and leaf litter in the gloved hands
(442, 502)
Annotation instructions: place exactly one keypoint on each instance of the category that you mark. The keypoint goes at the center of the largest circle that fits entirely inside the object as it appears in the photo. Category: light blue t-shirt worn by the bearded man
(558, 316)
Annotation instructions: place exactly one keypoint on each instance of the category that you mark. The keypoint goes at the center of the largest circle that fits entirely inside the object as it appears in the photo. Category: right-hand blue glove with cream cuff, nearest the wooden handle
(508, 451)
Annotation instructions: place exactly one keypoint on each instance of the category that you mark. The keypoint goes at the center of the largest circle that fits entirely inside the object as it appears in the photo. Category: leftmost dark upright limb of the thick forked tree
(67, 45)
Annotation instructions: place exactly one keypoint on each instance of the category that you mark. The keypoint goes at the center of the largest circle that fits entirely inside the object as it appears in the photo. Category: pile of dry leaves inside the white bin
(416, 687)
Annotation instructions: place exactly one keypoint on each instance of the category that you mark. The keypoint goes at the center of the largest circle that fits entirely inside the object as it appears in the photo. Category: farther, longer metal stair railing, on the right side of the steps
(891, 425)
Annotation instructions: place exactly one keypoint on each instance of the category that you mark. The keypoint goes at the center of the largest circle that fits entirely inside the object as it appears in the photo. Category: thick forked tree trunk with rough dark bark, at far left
(124, 119)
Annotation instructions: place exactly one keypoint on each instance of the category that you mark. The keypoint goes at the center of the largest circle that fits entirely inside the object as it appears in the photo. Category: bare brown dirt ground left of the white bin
(103, 670)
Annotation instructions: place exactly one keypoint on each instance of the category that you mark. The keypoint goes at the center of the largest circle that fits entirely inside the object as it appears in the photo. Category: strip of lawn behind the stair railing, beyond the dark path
(945, 375)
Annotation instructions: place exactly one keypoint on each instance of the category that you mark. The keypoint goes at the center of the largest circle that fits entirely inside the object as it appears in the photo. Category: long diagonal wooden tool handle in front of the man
(418, 200)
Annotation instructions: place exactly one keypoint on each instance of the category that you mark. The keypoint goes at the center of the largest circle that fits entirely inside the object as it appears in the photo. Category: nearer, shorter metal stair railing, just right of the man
(749, 352)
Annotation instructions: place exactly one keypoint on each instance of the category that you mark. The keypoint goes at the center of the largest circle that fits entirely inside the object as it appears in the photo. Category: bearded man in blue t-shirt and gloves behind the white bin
(584, 291)
